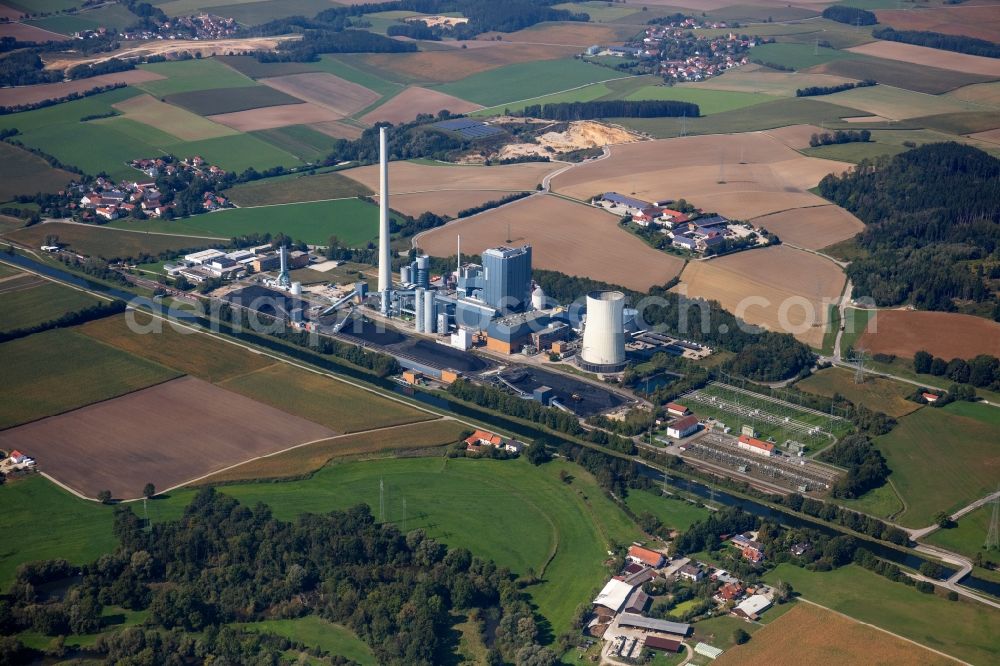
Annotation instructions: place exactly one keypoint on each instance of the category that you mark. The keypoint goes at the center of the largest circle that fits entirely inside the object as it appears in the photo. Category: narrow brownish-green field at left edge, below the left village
(105, 242)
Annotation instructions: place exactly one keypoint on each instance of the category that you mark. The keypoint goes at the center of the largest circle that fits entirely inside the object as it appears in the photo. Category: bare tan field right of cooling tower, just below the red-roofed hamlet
(778, 288)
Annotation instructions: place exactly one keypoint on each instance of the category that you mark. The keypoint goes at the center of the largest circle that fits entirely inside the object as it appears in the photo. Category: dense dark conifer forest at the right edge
(931, 224)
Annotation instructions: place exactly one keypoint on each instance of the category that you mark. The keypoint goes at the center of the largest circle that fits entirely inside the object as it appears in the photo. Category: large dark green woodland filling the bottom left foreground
(222, 563)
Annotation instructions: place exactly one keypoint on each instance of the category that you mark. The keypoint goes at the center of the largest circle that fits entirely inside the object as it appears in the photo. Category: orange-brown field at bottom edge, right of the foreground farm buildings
(807, 630)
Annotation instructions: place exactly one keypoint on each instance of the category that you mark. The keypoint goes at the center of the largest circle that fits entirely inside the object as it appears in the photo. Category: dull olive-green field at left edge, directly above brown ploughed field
(56, 371)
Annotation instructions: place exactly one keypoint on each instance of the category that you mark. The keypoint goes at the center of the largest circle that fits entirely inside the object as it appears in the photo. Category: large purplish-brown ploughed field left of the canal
(168, 434)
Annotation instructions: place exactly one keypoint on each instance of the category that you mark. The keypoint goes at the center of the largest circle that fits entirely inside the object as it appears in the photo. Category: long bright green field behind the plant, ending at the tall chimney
(353, 221)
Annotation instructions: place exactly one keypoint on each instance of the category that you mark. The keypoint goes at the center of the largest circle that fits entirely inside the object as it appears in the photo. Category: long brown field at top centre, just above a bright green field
(455, 64)
